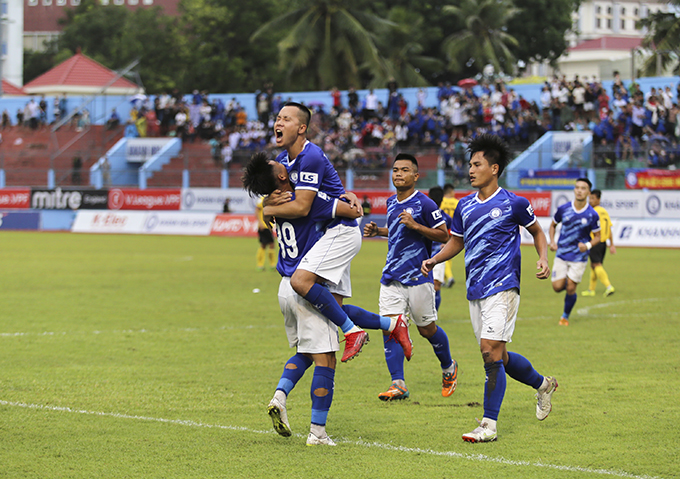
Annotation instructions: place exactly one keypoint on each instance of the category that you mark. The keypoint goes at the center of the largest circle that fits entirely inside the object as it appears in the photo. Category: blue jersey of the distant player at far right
(576, 228)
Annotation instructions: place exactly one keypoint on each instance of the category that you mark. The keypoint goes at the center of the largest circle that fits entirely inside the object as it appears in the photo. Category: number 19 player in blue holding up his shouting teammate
(314, 336)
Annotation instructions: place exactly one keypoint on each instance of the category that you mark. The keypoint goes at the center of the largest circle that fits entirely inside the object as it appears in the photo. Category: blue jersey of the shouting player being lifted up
(312, 170)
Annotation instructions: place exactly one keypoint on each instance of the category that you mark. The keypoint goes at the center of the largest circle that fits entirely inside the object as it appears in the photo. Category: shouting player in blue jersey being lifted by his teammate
(329, 260)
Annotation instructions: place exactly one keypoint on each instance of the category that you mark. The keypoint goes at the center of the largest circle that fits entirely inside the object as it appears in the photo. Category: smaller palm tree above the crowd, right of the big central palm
(483, 39)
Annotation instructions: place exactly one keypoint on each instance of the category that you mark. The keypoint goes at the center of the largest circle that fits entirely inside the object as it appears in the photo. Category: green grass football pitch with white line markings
(150, 356)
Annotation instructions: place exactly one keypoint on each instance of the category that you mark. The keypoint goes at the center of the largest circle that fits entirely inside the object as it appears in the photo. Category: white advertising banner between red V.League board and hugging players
(212, 199)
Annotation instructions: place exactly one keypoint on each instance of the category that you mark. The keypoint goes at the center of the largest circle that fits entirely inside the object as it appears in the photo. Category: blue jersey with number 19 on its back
(297, 236)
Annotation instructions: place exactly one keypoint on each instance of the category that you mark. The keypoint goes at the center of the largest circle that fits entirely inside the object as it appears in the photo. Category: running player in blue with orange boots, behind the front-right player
(413, 223)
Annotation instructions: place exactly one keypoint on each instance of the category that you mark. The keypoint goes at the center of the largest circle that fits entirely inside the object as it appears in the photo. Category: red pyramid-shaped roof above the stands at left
(79, 70)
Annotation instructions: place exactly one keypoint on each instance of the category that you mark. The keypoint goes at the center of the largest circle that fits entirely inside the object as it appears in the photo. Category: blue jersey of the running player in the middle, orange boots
(407, 249)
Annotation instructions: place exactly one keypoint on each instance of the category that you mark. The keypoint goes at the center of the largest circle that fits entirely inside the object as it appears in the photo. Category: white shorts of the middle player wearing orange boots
(416, 301)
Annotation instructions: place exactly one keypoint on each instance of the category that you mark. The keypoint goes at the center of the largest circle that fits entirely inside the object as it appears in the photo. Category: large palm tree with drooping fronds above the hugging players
(327, 43)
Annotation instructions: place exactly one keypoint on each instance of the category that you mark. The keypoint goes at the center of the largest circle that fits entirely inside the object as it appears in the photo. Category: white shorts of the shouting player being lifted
(331, 256)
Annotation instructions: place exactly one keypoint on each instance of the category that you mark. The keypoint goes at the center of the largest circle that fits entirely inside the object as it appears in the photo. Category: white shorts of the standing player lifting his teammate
(306, 327)
